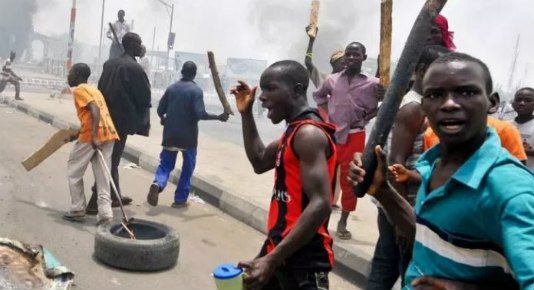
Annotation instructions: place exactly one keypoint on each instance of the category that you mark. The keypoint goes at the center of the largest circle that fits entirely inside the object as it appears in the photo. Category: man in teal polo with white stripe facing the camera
(473, 224)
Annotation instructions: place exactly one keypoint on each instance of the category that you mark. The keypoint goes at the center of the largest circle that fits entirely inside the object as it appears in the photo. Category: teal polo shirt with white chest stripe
(479, 226)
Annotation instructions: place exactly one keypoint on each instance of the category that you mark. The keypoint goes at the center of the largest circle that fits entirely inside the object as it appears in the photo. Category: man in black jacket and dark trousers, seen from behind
(126, 89)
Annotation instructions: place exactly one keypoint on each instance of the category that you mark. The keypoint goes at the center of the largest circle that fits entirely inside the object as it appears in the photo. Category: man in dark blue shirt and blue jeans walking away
(180, 109)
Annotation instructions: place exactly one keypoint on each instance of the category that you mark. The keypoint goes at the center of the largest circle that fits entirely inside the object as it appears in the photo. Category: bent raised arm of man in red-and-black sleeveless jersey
(262, 158)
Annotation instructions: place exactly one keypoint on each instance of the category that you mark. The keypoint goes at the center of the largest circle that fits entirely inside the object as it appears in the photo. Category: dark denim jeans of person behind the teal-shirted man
(390, 259)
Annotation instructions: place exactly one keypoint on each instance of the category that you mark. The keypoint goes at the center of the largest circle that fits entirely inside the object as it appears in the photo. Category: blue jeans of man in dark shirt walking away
(166, 166)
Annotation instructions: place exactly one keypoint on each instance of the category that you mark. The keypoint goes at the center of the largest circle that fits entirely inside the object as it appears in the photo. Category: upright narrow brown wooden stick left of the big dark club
(385, 41)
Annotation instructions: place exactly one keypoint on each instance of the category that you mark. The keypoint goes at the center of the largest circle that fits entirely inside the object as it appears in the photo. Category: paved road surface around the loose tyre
(31, 205)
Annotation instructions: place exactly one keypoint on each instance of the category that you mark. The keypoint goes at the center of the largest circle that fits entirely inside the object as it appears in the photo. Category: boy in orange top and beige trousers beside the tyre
(97, 132)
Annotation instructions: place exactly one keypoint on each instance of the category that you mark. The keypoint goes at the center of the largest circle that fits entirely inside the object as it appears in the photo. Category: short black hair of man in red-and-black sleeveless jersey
(292, 73)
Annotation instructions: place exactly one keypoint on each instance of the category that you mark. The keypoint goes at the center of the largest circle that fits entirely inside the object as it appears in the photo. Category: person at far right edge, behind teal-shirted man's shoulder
(523, 104)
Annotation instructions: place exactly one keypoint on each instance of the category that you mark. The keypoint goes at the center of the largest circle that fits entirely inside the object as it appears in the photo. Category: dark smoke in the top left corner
(16, 25)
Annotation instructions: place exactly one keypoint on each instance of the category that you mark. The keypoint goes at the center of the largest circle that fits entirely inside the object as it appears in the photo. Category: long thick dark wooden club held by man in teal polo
(399, 83)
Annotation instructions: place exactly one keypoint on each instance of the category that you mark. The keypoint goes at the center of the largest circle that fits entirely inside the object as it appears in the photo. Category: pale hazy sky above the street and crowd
(274, 29)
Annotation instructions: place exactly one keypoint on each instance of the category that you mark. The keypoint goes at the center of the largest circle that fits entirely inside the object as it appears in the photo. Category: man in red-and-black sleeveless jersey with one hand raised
(297, 253)
